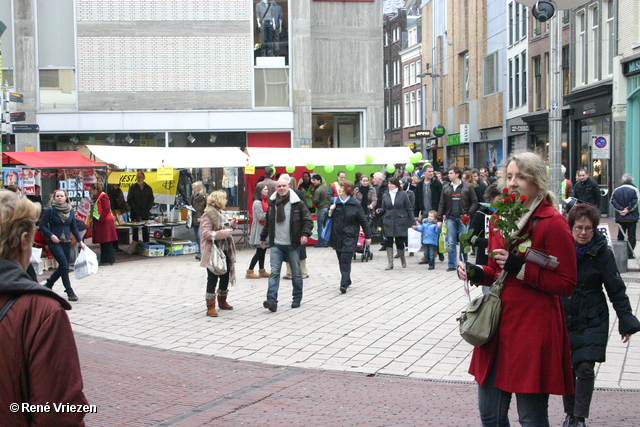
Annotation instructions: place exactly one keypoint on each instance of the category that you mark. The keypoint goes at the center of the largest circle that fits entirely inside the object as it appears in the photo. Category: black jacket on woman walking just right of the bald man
(347, 219)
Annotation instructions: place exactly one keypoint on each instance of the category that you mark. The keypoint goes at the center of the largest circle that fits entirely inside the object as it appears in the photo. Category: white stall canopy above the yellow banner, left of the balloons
(176, 157)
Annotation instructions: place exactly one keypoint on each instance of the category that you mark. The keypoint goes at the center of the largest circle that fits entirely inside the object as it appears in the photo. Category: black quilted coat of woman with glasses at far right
(586, 311)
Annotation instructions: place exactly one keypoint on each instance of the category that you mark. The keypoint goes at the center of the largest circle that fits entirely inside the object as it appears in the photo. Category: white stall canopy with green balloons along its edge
(261, 156)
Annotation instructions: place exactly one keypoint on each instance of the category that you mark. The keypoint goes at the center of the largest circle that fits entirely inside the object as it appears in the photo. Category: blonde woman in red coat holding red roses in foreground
(530, 354)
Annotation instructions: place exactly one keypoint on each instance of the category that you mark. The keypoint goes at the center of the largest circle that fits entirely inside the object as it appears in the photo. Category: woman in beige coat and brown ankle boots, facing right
(215, 228)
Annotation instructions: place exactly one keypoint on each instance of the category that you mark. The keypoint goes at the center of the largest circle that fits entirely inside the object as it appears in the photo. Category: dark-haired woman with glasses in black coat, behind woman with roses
(586, 311)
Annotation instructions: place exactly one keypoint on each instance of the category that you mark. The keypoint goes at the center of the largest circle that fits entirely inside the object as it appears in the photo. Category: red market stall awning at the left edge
(50, 160)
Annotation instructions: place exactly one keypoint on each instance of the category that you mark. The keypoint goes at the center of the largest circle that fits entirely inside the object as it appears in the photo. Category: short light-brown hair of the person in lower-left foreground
(18, 215)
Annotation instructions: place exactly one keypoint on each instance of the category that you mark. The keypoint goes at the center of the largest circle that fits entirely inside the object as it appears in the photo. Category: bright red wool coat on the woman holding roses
(531, 344)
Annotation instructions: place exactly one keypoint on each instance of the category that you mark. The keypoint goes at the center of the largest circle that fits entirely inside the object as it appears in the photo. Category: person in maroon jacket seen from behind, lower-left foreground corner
(39, 362)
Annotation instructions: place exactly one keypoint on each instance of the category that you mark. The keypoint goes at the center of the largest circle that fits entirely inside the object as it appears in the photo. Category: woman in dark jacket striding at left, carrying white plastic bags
(58, 223)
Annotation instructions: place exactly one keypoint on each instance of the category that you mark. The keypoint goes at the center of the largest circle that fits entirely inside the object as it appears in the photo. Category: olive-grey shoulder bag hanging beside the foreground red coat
(479, 321)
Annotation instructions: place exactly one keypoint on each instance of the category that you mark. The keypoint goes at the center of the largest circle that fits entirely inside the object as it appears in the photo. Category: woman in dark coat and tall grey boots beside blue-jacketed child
(398, 218)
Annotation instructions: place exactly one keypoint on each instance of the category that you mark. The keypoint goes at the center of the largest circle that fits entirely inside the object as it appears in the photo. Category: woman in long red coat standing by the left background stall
(104, 227)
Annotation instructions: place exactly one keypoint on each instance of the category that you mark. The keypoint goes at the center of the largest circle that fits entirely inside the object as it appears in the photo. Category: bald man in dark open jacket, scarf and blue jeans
(288, 225)
